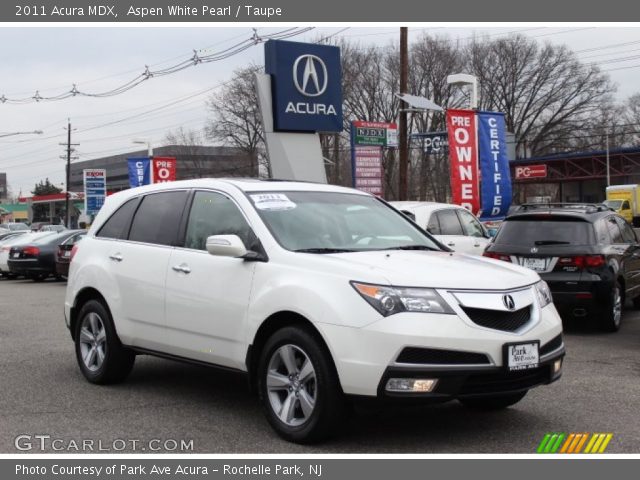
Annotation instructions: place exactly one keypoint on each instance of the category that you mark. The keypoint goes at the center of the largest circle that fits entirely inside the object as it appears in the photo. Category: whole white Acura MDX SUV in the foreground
(321, 294)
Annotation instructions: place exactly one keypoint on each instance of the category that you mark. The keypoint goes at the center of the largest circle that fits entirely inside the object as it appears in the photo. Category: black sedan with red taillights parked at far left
(36, 260)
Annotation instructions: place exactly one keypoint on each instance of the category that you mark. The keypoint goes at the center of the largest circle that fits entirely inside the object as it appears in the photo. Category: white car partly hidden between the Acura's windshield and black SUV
(452, 225)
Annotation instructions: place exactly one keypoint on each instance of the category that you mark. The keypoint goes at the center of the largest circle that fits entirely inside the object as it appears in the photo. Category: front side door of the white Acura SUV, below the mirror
(207, 295)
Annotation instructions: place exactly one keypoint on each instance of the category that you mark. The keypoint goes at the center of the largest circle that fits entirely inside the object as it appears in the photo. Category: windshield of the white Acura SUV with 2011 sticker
(328, 222)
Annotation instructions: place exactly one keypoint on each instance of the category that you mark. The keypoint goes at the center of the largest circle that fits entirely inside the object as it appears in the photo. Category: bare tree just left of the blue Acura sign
(235, 116)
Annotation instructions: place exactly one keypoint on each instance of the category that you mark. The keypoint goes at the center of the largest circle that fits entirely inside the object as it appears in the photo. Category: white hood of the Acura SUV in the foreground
(435, 269)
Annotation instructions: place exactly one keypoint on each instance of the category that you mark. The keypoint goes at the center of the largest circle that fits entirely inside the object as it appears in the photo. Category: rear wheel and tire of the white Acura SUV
(101, 357)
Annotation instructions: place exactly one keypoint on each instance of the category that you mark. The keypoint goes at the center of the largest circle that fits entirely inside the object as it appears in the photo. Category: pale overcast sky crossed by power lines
(50, 60)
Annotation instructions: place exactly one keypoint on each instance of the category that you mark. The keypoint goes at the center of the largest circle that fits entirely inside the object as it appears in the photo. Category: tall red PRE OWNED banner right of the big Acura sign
(463, 154)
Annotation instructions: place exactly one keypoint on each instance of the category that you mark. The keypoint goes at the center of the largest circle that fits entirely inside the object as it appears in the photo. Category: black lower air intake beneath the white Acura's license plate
(505, 382)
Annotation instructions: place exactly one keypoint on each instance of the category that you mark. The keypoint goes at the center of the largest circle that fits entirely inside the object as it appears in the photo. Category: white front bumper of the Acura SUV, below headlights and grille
(365, 356)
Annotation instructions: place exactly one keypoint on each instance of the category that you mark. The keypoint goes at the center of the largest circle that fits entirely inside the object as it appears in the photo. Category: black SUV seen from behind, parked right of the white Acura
(589, 256)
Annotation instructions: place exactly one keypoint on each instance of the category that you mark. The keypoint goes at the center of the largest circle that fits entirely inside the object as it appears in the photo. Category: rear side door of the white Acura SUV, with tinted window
(139, 264)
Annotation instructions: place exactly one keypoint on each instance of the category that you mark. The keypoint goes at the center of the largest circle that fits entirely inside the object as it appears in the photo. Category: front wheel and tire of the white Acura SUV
(299, 387)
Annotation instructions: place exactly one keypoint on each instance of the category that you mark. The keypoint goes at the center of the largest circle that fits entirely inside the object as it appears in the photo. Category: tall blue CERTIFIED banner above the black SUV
(495, 180)
